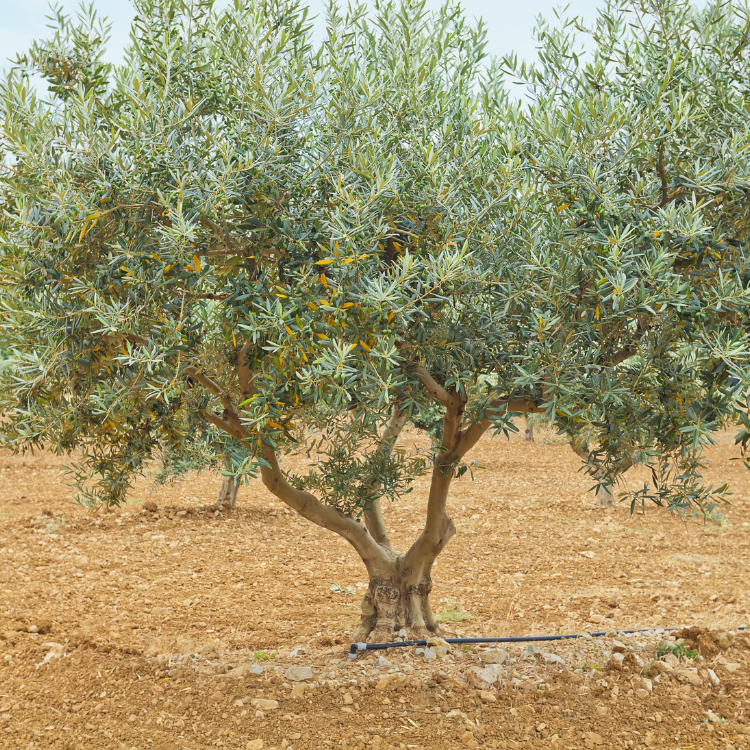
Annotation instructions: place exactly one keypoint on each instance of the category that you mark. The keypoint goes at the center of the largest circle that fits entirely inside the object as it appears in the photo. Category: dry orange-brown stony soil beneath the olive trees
(175, 628)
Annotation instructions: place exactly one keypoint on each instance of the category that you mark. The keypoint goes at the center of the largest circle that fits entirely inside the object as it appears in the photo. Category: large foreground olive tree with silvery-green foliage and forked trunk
(239, 246)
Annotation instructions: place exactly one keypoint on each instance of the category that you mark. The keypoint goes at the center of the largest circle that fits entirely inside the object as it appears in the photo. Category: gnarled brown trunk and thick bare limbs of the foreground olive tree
(400, 584)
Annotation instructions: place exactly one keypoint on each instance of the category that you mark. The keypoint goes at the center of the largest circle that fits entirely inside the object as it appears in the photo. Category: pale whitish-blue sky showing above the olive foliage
(509, 23)
